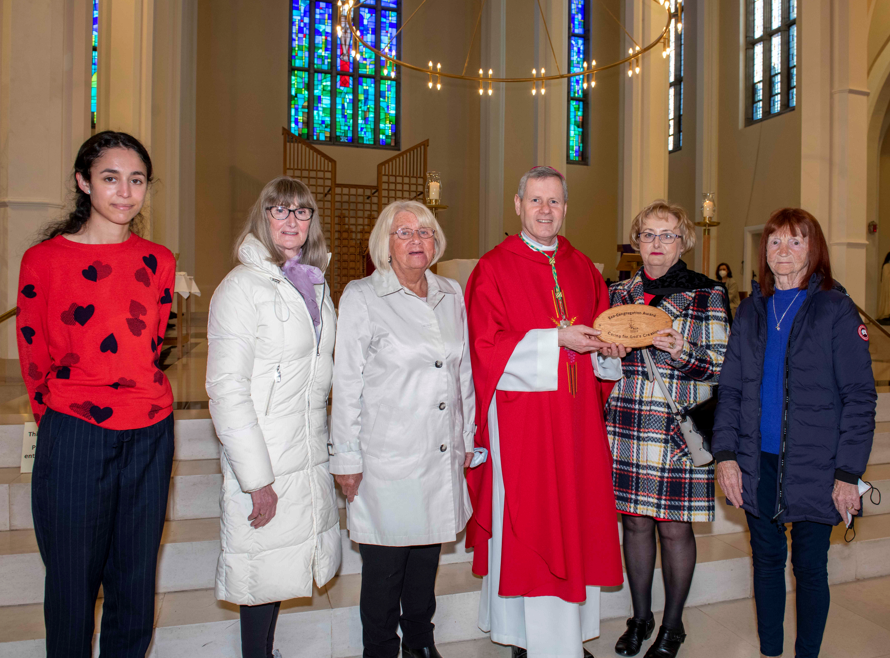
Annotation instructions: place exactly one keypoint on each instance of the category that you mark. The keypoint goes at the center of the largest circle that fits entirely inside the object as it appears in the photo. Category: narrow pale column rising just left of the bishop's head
(493, 111)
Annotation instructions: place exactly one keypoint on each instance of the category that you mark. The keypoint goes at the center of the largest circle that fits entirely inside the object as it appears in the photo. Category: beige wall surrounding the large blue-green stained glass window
(242, 106)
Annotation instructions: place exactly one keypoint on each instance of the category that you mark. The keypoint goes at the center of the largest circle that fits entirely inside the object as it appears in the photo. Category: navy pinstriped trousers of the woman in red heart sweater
(99, 500)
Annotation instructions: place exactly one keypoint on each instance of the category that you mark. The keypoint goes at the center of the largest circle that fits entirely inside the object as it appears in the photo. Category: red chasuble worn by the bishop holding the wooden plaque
(560, 525)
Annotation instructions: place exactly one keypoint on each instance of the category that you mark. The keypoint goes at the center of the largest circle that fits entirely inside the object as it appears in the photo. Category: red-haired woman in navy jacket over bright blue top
(795, 422)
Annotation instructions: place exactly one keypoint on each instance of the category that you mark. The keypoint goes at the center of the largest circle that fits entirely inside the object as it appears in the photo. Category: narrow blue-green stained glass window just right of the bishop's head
(579, 46)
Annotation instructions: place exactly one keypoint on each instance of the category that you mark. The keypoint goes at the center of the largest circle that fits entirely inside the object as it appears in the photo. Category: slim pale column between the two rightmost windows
(707, 84)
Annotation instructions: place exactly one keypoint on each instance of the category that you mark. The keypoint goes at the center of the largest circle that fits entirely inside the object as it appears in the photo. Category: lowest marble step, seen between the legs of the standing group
(194, 624)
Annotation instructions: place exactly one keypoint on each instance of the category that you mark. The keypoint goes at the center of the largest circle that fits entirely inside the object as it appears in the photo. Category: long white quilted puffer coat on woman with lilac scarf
(268, 380)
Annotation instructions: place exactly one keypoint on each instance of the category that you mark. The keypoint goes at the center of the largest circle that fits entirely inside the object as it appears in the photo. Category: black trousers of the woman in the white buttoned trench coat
(394, 578)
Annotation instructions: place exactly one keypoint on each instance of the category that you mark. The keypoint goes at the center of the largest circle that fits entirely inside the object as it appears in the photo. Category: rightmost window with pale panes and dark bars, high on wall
(772, 58)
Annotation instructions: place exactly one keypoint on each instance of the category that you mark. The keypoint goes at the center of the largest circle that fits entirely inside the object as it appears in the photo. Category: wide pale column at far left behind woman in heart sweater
(44, 117)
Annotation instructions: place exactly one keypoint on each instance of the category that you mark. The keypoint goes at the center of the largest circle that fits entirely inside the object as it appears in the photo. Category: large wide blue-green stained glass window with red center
(340, 92)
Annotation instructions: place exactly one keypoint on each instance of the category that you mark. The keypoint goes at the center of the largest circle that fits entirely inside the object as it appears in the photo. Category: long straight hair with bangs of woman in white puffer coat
(284, 191)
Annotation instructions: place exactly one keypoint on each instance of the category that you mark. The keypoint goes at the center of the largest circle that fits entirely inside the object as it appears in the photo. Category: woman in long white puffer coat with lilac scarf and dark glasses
(271, 338)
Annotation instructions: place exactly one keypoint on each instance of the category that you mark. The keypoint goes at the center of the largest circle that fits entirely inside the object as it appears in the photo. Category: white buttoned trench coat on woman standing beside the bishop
(403, 410)
